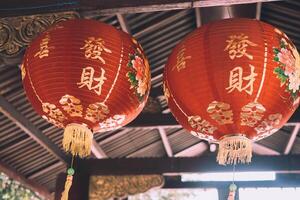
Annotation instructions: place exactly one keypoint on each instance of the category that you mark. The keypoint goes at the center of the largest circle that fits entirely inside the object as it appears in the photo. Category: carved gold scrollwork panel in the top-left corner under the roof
(17, 32)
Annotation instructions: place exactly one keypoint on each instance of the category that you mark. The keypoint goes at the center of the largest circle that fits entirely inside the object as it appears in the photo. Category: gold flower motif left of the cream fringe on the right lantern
(201, 125)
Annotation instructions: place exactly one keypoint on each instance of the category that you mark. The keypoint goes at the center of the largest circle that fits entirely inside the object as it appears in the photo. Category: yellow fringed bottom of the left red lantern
(77, 140)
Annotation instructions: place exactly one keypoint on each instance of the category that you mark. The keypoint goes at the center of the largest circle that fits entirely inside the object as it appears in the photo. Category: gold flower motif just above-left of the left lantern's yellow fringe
(71, 105)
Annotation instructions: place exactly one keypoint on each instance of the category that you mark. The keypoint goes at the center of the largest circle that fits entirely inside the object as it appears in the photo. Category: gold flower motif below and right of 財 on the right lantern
(251, 114)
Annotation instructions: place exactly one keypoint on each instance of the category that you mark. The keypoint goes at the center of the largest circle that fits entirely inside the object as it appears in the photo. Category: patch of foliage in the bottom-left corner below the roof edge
(13, 190)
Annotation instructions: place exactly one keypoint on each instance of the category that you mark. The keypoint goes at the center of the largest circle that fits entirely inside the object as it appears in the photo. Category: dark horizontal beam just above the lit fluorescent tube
(122, 166)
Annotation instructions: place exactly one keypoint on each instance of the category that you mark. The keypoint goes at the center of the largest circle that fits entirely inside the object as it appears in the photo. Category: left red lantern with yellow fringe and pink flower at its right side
(85, 76)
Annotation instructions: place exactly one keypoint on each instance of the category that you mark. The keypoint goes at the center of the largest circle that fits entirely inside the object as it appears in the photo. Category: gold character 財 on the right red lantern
(236, 80)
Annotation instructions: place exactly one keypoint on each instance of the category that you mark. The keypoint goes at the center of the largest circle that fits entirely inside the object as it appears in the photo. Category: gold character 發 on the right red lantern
(237, 46)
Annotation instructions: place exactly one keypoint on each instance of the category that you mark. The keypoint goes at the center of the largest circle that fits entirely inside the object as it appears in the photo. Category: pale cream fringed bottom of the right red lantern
(234, 149)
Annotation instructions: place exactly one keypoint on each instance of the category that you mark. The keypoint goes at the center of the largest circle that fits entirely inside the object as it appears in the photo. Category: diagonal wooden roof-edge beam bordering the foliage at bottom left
(35, 187)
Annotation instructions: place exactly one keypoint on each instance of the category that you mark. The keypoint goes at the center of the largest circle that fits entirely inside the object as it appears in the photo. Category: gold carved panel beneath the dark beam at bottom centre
(108, 187)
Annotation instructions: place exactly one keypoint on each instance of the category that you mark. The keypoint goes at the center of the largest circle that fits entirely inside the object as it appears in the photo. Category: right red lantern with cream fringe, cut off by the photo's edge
(233, 82)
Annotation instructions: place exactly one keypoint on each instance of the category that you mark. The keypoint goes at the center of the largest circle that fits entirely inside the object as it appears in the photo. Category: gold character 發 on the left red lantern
(93, 48)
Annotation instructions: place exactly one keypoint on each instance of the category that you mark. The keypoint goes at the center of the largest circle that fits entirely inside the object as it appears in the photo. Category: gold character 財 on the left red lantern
(91, 82)
